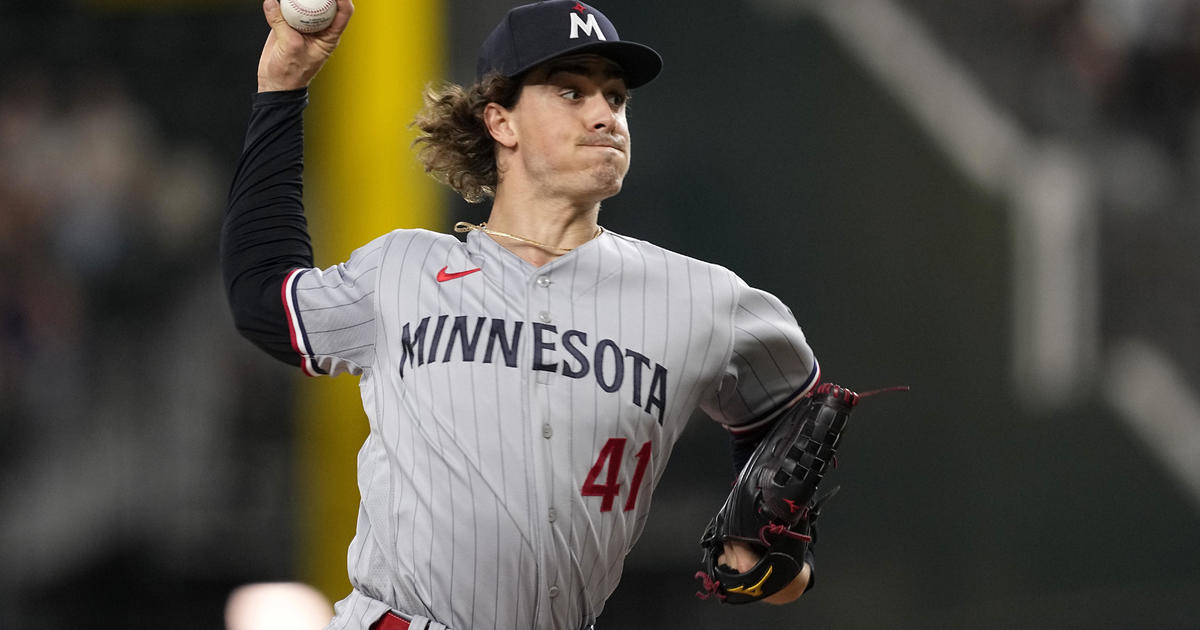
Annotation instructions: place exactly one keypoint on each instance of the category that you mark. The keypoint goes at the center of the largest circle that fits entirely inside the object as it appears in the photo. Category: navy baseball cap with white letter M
(533, 34)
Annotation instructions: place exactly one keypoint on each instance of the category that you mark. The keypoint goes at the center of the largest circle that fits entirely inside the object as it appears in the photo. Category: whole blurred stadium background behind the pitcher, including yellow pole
(993, 202)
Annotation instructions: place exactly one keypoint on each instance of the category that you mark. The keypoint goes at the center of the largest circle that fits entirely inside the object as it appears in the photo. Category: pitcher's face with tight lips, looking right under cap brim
(573, 133)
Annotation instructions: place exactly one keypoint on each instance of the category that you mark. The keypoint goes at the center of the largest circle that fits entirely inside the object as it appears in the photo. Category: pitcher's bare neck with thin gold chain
(557, 226)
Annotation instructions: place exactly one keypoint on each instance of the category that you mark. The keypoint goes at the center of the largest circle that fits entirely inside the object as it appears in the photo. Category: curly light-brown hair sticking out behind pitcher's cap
(454, 143)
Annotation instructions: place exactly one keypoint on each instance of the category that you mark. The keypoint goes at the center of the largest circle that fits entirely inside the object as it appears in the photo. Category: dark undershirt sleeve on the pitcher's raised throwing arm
(265, 235)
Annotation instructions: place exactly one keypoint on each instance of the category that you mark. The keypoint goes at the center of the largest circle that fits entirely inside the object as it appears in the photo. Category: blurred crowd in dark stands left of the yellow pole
(140, 447)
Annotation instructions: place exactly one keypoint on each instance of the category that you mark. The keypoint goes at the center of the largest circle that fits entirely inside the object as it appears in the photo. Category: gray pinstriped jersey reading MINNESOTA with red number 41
(521, 417)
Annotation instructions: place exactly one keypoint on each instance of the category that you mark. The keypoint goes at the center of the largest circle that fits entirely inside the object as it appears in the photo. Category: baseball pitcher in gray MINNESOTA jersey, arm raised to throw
(526, 383)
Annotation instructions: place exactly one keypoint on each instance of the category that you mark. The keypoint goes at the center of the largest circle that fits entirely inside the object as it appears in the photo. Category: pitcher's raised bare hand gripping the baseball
(291, 59)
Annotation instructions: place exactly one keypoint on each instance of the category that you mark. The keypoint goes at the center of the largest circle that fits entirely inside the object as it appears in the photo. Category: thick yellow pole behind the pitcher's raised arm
(362, 182)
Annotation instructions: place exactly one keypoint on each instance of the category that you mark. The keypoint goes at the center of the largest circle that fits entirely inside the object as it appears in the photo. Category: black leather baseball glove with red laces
(775, 502)
